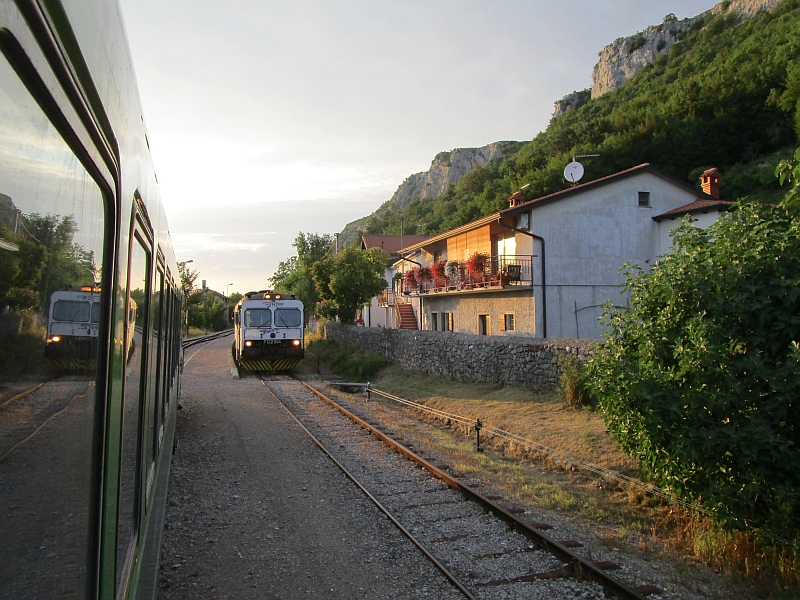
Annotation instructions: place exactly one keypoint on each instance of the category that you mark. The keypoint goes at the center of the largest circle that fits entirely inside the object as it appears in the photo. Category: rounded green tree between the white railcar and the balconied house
(347, 281)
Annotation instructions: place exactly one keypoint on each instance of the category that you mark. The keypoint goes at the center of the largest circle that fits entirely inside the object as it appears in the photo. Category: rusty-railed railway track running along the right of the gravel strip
(485, 549)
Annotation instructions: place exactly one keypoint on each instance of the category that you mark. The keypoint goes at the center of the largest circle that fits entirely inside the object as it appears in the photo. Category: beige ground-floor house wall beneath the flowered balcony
(467, 306)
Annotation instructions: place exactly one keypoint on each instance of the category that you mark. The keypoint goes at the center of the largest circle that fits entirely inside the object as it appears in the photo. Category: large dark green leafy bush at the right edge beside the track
(700, 378)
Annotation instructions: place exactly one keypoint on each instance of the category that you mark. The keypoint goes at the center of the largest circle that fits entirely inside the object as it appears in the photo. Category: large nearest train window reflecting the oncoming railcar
(52, 231)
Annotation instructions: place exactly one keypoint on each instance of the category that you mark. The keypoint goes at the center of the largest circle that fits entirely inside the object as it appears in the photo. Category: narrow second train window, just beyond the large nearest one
(130, 462)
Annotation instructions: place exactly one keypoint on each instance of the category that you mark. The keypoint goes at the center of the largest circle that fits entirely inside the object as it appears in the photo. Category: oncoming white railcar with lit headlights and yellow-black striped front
(268, 332)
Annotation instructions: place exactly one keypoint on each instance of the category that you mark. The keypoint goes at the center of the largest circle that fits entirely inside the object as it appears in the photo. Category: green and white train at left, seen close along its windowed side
(88, 280)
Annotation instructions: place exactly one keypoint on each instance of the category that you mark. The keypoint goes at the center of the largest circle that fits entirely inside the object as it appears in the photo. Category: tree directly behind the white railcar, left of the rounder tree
(294, 275)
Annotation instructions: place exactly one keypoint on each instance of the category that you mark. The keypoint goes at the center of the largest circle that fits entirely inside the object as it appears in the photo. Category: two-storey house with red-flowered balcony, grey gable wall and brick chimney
(552, 262)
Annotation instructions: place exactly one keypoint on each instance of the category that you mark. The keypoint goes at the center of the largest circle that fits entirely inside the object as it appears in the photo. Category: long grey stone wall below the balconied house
(532, 363)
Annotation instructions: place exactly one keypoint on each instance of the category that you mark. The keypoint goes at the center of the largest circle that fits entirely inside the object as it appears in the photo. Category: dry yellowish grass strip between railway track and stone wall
(617, 513)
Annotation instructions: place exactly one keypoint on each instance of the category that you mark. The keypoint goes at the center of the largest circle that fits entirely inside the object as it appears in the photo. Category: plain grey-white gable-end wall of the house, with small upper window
(588, 237)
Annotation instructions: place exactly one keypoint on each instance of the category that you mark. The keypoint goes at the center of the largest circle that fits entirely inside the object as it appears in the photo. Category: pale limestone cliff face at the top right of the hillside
(623, 58)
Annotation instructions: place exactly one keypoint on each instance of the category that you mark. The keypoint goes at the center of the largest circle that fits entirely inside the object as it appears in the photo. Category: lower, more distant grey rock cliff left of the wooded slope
(446, 169)
